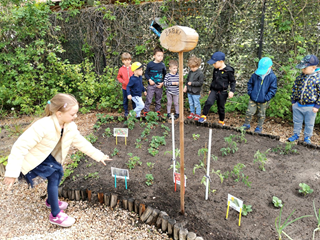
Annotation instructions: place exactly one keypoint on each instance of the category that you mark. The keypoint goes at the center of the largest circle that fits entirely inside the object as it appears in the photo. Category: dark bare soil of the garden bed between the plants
(207, 218)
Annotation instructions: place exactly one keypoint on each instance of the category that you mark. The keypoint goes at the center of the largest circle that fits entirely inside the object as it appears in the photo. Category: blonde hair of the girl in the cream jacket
(62, 102)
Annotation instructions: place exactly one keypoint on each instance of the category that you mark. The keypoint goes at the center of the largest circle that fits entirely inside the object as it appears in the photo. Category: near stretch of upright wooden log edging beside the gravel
(147, 214)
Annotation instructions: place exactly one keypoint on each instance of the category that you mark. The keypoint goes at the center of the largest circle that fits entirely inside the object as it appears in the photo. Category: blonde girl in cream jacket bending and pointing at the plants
(42, 149)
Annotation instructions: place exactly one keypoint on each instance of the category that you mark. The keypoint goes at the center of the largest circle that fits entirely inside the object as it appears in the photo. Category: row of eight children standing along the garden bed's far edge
(262, 87)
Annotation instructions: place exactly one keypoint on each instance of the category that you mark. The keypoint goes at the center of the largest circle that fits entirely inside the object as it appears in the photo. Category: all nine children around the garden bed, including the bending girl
(42, 149)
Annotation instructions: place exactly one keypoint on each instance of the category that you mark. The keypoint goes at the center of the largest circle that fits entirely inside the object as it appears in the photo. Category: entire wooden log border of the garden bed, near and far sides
(148, 214)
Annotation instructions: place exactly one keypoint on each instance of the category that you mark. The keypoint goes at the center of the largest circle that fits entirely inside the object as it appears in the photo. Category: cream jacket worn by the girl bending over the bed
(43, 138)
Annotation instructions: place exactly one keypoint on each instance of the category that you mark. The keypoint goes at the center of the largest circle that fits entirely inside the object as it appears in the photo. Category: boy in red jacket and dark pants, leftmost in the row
(123, 77)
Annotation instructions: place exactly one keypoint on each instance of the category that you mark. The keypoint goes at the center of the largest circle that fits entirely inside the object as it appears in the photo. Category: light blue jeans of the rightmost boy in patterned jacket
(303, 114)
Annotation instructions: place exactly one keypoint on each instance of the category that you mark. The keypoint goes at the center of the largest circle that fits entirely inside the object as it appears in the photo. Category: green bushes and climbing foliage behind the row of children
(77, 51)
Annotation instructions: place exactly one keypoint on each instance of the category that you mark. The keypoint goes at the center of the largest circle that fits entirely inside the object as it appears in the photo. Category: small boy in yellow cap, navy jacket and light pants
(135, 87)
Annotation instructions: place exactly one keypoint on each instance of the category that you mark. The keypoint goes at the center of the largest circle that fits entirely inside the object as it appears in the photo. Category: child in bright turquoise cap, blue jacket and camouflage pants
(262, 86)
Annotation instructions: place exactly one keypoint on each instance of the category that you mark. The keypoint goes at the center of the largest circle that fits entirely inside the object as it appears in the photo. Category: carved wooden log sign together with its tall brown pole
(180, 39)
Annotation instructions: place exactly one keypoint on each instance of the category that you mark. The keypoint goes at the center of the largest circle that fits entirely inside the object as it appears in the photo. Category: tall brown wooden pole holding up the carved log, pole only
(181, 124)
